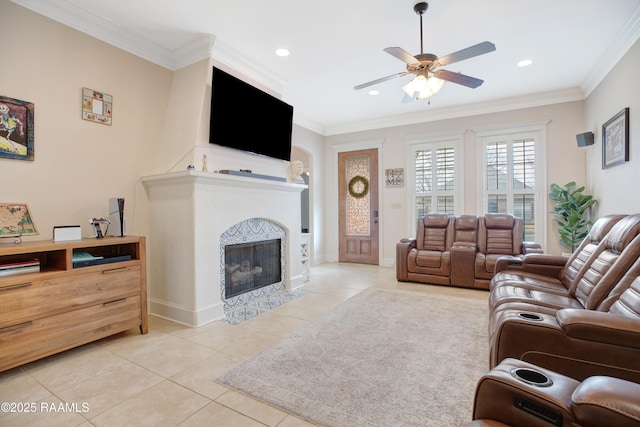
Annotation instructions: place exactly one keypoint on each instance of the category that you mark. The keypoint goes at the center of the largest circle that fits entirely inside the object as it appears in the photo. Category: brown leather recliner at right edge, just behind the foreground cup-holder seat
(576, 342)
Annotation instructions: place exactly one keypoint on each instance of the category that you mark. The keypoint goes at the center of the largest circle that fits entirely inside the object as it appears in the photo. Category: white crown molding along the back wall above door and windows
(436, 114)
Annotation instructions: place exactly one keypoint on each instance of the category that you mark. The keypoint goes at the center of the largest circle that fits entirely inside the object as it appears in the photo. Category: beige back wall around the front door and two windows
(564, 161)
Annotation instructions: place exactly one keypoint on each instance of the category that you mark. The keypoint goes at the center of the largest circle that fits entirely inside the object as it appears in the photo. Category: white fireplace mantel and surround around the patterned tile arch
(189, 211)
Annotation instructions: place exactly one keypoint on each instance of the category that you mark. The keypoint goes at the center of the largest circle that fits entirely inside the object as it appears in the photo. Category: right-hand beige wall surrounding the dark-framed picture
(614, 187)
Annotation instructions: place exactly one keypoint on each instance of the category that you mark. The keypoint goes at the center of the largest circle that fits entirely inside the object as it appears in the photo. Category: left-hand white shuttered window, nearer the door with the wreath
(436, 182)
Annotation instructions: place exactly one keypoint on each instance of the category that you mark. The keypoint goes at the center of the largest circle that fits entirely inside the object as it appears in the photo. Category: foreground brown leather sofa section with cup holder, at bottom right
(519, 394)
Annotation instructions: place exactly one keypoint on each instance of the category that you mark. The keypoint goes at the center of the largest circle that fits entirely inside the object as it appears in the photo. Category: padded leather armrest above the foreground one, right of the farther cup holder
(599, 326)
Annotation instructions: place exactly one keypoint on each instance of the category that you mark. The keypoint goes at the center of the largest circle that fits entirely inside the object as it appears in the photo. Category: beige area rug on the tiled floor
(382, 358)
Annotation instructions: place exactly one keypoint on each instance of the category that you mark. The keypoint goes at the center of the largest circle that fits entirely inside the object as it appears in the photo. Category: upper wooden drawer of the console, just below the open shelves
(22, 301)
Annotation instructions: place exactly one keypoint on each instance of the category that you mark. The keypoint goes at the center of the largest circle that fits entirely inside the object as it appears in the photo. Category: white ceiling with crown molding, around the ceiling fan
(337, 44)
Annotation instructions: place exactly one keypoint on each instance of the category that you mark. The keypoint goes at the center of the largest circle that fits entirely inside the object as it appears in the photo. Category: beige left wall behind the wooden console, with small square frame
(79, 164)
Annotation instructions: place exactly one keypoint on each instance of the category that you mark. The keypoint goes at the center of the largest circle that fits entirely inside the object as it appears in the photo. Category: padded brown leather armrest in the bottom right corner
(610, 401)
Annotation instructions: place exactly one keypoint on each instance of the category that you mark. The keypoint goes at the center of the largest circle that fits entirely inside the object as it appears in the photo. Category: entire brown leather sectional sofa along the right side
(565, 335)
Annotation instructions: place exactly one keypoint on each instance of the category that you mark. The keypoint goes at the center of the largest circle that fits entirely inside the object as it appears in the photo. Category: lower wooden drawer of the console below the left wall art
(27, 341)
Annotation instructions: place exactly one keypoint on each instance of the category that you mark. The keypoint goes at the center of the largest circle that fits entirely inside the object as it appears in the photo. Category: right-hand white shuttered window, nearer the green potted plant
(511, 179)
